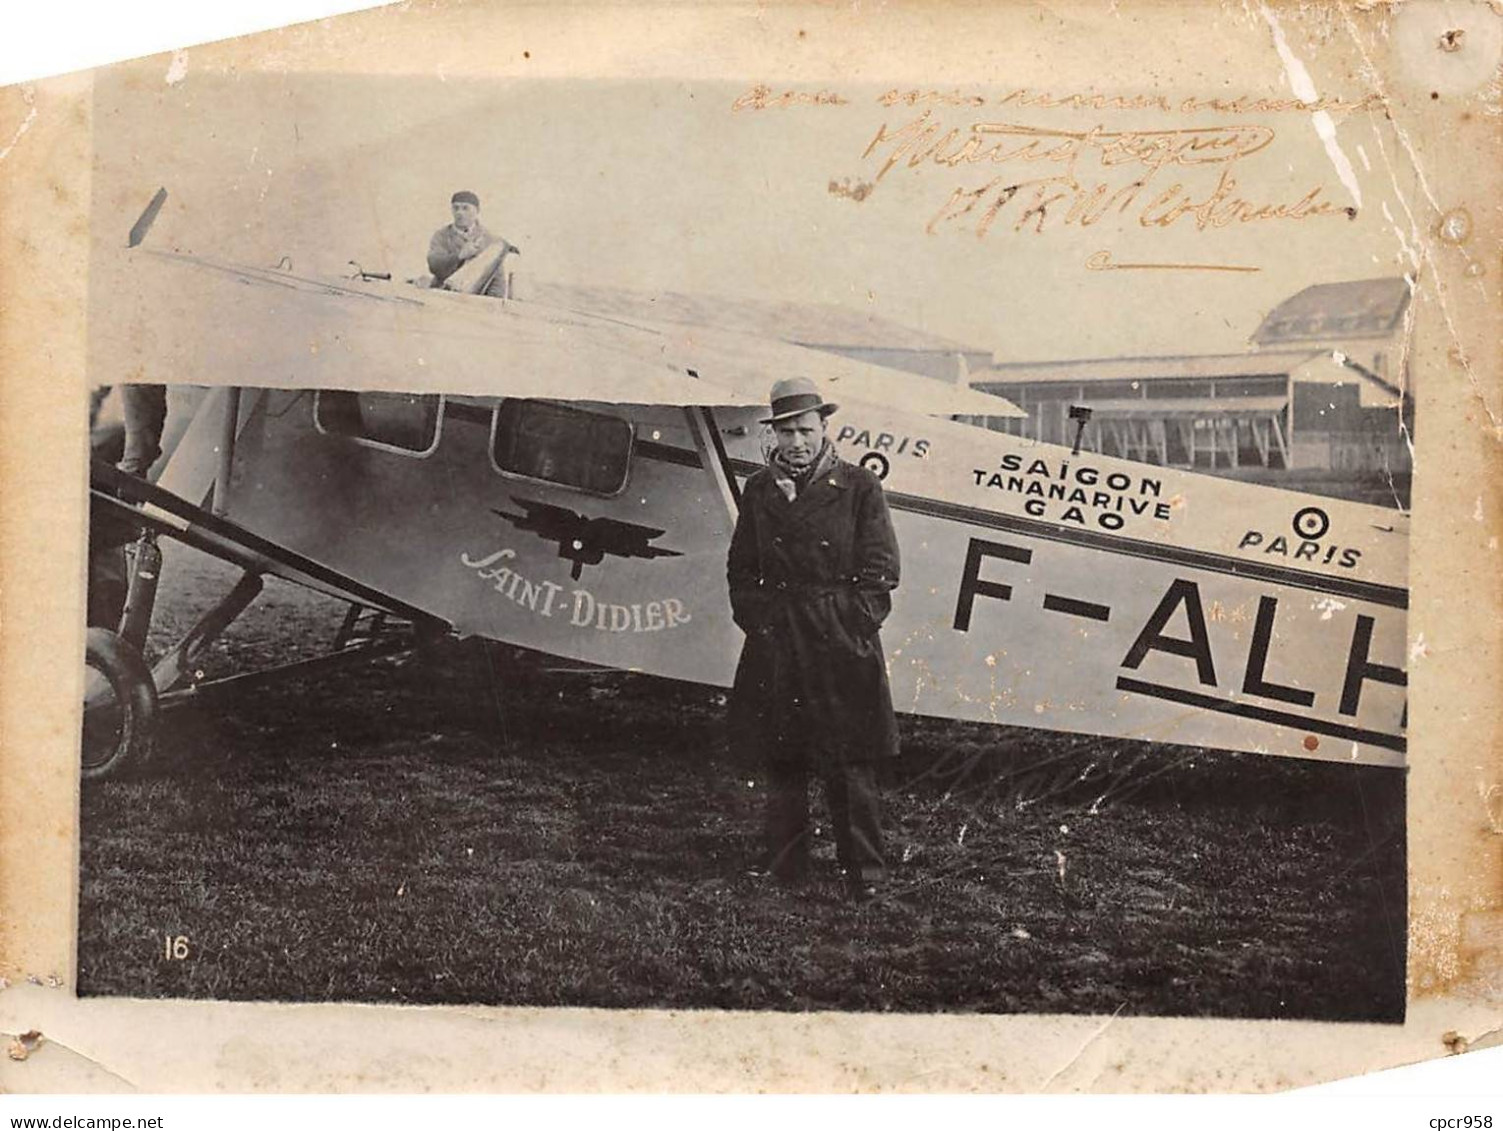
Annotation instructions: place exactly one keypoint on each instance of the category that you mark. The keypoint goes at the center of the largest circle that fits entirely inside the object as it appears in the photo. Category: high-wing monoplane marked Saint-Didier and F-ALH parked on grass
(566, 482)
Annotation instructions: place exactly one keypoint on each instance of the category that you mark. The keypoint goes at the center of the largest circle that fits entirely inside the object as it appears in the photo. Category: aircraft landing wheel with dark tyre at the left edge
(119, 708)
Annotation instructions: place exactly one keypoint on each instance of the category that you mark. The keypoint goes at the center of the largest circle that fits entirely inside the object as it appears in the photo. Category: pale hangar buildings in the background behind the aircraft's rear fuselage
(1323, 387)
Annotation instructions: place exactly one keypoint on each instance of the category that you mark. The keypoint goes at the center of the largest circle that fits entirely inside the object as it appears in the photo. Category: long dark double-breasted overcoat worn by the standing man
(811, 584)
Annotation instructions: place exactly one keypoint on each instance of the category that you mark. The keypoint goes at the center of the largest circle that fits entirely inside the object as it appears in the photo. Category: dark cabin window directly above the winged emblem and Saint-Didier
(561, 444)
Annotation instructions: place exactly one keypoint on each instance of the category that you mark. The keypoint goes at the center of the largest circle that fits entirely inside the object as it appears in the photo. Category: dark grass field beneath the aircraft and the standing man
(476, 828)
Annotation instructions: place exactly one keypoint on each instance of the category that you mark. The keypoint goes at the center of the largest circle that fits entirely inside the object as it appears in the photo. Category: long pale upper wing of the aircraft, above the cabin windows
(169, 318)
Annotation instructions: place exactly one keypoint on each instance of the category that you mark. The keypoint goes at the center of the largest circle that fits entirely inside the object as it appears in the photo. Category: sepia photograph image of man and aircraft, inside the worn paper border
(718, 545)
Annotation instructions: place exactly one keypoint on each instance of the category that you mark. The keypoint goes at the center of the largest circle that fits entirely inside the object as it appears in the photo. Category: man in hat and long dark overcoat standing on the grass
(812, 568)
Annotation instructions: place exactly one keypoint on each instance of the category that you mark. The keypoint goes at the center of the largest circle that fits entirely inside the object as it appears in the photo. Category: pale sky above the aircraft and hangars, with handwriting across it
(662, 186)
